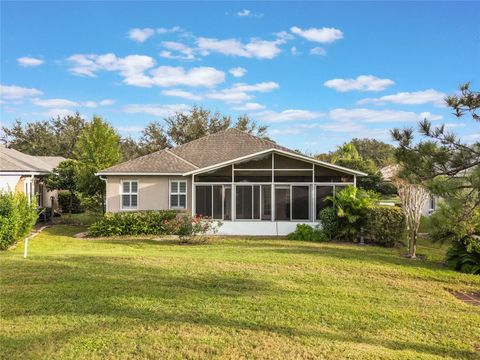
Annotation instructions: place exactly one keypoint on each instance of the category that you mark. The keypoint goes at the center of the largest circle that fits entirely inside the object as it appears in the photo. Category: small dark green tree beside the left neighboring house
(64, 177)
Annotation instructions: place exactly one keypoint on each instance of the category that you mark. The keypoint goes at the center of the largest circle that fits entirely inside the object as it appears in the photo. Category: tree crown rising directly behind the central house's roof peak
(184, 127)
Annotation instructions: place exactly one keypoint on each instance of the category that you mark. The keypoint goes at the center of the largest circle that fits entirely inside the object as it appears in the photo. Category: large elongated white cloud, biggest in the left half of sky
(133, 68)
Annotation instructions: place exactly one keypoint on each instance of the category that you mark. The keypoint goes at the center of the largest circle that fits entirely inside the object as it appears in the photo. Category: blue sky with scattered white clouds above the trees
(318, 74)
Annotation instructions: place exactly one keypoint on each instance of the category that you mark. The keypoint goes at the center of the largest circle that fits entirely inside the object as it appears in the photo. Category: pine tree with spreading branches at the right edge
(448, 167)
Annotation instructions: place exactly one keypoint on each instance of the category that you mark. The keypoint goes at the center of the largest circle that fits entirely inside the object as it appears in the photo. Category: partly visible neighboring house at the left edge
(25, 173)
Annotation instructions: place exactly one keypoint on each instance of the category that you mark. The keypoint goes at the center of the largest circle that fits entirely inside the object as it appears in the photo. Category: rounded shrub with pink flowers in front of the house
(193, 228)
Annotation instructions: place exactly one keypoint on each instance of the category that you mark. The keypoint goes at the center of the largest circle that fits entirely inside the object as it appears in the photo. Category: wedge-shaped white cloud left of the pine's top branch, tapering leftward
(409, 98)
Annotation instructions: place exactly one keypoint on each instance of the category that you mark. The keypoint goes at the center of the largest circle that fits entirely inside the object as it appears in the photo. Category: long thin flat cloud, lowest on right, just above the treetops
(378, 116)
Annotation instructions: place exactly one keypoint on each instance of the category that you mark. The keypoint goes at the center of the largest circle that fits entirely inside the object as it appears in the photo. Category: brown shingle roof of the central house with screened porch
(209, 150)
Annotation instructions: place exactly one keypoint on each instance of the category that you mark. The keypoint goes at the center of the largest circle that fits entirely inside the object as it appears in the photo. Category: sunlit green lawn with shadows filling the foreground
(87, 299)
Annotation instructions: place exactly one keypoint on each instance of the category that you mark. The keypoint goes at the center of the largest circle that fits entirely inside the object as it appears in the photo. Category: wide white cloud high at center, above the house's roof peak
(261, 49)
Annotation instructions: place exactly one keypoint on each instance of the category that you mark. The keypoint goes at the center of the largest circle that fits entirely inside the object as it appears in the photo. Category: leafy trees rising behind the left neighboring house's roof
(54, 137)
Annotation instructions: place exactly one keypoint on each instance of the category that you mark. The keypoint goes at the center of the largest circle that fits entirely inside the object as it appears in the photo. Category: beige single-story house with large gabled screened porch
(254, 186)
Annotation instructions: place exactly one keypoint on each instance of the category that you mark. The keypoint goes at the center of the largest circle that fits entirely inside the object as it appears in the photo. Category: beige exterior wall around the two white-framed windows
(153, 192)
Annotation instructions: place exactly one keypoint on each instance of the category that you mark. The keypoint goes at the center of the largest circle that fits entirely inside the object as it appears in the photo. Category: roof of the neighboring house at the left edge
(15, 161)
